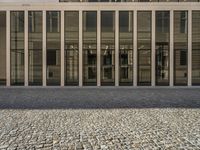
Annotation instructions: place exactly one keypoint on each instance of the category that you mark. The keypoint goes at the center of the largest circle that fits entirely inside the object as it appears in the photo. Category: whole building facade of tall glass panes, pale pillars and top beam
(100, 44)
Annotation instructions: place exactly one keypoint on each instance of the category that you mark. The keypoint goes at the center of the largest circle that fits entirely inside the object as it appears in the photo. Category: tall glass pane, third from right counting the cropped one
(162, 47)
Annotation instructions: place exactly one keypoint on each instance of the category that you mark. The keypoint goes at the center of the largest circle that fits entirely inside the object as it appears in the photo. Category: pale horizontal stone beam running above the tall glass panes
(101, 6)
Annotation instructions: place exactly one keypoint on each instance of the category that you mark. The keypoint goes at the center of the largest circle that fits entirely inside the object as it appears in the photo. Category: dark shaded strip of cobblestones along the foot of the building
(98, 97)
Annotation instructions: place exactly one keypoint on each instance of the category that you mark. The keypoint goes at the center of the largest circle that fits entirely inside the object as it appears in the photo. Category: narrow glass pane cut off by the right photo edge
(196, 47)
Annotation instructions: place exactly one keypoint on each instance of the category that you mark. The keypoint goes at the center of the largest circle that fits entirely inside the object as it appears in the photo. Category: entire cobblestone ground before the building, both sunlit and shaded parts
(171, 124)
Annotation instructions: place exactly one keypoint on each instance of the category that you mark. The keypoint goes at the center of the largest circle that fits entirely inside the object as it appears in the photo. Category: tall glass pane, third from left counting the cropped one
(35, 47)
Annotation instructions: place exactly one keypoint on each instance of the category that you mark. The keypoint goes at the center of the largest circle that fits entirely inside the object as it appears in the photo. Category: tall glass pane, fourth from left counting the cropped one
(53, 48)
